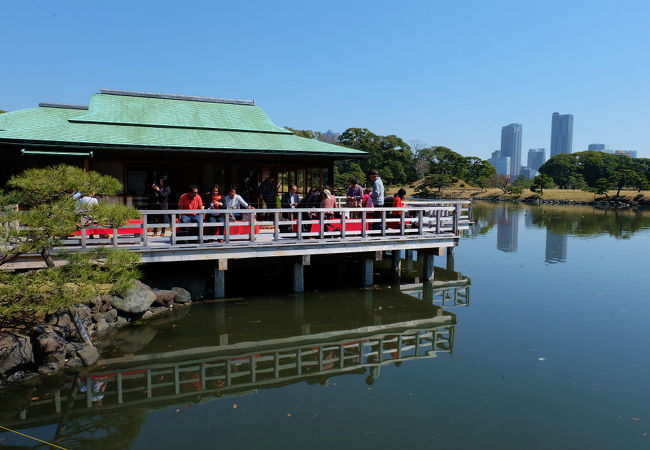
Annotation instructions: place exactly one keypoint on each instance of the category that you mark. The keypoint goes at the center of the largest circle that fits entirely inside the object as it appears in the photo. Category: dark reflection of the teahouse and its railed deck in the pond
(231, 350)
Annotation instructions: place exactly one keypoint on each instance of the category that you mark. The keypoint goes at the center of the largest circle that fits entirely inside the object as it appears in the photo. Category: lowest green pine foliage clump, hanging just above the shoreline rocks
(84, 276)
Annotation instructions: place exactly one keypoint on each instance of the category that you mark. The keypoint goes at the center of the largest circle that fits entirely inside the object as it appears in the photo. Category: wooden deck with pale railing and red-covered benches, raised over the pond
(421, 226)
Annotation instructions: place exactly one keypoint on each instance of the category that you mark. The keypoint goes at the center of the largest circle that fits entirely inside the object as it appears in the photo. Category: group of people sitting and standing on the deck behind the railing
(357, 196)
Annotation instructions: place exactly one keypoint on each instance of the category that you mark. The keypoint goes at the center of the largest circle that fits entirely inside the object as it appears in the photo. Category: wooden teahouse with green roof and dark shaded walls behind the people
(137, 137)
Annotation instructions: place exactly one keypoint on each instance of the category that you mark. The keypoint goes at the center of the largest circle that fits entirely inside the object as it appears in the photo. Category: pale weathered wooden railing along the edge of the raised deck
(441, 218)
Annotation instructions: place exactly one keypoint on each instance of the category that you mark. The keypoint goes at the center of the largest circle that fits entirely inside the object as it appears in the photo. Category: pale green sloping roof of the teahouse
(127, 119)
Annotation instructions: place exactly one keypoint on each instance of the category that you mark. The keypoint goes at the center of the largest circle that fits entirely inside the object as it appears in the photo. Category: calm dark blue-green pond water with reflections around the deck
(535, 335)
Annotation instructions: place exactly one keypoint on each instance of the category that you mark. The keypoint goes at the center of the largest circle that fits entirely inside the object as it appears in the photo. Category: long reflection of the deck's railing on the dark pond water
(155, 379)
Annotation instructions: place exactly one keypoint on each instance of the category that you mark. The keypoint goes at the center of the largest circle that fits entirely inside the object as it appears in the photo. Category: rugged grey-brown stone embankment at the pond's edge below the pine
(53, 343)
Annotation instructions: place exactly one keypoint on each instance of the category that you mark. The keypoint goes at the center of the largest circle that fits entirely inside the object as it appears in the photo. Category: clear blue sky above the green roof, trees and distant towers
(445, 73)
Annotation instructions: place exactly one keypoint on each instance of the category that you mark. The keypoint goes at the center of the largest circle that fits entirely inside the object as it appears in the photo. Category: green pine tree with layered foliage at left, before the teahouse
(49, 214)
